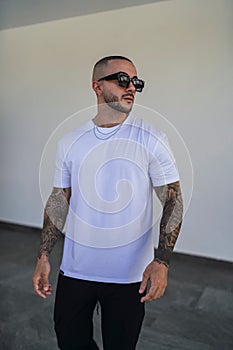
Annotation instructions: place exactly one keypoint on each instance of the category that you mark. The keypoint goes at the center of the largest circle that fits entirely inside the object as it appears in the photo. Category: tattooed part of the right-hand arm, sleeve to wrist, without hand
(171, 199)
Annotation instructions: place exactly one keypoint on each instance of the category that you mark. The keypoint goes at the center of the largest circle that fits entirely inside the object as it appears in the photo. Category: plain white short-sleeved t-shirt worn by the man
(111, 172)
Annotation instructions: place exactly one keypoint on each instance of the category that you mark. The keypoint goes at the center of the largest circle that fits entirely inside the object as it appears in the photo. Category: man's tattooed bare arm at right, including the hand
(170, 224)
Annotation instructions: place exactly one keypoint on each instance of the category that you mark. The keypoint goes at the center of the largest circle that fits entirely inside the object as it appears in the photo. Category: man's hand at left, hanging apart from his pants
(40, 278)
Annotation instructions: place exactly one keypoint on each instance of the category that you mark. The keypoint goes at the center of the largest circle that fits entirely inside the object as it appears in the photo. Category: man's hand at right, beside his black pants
(157, 274)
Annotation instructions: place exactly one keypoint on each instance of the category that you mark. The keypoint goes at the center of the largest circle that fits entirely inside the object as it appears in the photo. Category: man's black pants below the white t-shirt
(122, 314)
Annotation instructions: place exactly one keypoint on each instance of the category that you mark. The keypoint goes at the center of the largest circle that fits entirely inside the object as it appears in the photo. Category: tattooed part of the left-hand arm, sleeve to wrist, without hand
(54, 219)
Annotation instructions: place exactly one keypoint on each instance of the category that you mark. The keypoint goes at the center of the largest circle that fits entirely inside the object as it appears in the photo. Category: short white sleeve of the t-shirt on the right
(162, 165)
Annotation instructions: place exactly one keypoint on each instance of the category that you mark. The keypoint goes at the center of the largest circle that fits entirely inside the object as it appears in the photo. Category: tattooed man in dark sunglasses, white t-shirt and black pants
(104, 178)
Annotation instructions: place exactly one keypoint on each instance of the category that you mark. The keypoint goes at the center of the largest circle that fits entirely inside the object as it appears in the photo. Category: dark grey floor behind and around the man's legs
(195, 313)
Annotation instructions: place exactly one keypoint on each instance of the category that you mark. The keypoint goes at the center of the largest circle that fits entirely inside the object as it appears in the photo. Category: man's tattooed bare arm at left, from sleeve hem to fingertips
(54, 220)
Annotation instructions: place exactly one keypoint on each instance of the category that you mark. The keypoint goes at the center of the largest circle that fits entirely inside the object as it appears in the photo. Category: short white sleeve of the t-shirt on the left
(62, 178)
